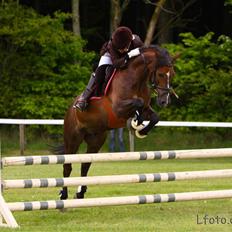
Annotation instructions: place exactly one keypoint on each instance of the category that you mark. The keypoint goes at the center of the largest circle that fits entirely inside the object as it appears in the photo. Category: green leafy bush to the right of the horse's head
(203, 79)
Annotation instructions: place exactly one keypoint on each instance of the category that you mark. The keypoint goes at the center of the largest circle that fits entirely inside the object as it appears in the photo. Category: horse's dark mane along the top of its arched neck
(164, 58)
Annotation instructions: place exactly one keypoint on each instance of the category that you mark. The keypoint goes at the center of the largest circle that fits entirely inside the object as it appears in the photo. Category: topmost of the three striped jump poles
(120, 156)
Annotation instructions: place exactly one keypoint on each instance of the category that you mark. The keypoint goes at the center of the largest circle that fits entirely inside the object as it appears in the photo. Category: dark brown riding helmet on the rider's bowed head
(122, 37)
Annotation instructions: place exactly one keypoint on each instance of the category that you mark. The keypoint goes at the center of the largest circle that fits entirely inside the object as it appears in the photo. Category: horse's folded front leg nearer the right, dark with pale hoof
(149, 115)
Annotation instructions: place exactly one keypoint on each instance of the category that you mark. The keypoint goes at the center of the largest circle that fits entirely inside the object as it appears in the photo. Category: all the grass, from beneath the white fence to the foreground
(178, 216)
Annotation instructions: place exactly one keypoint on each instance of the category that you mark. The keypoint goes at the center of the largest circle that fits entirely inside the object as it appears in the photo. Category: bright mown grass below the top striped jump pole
(181, 216)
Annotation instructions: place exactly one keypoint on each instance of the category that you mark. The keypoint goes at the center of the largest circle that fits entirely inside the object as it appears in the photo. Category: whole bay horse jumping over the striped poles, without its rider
(128, 95)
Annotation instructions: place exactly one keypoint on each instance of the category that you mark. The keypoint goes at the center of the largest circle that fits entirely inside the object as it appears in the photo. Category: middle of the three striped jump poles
(116, 179)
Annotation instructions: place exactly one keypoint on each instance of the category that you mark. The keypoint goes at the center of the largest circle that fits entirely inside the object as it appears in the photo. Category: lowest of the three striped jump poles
(113, 201)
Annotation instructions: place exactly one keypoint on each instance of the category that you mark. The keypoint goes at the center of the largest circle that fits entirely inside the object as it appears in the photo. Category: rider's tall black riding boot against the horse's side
(82, 101)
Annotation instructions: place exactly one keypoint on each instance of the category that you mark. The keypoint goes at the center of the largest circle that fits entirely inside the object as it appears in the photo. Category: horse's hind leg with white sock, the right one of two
(94, 144)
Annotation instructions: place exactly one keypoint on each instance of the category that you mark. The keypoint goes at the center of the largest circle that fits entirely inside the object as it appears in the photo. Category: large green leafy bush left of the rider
(43, 66)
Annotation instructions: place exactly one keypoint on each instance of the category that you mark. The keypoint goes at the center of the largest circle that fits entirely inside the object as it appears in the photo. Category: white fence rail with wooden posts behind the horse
(23, 122)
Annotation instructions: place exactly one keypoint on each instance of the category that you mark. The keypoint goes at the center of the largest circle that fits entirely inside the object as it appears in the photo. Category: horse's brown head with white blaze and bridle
(161, 74)
